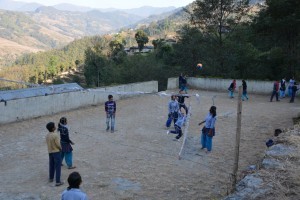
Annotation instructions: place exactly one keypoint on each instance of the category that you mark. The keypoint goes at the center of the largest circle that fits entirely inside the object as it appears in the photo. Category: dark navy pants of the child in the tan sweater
(55, 166)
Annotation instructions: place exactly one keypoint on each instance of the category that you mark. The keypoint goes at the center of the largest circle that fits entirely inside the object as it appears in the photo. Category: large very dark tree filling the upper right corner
(277, 35)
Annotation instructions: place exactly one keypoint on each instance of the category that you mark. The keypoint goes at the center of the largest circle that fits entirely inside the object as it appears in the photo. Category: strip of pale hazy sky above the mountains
(115, 3)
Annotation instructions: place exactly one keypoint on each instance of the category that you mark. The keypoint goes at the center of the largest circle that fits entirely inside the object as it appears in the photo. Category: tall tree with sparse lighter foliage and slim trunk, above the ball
(217, 19)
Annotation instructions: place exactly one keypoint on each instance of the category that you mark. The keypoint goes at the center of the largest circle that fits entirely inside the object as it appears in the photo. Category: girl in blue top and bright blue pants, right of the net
(208, 131)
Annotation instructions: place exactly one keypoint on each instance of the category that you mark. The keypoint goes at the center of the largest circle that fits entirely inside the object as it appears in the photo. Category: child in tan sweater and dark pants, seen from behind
(54, 149)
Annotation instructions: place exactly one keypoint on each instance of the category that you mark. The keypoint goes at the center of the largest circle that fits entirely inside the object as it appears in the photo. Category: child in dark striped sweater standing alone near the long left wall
(110, 109)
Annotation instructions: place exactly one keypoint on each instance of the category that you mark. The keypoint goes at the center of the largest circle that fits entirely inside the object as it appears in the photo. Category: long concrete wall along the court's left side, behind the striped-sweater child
(26, 108)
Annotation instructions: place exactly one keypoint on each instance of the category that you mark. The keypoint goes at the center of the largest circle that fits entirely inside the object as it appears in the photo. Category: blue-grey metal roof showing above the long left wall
(7, 95)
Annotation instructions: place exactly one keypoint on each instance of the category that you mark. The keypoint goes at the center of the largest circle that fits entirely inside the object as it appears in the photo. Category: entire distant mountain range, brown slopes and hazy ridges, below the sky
(31, 27)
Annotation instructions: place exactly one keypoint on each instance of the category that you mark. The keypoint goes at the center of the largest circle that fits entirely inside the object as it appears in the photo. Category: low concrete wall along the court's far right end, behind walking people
(258, 87)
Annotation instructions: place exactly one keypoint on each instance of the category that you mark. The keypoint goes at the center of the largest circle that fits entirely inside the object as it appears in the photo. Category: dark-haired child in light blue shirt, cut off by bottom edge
(73, 192)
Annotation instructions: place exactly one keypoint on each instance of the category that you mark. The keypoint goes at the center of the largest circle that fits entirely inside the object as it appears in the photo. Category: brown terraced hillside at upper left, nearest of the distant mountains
(48, 28)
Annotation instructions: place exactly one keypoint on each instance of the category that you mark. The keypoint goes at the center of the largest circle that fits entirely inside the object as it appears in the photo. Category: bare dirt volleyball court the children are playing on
(139, 160)
